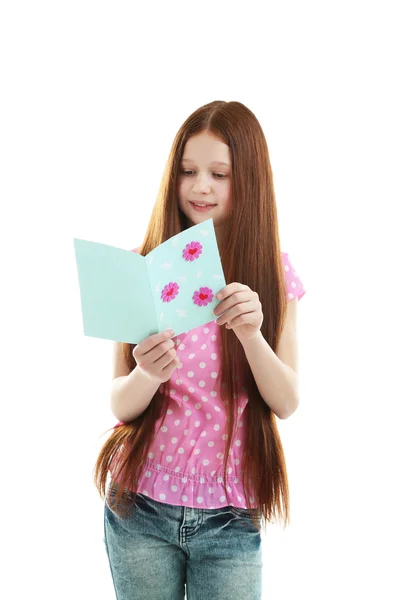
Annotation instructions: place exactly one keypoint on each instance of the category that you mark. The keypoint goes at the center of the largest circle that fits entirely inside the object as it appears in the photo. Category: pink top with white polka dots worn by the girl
(184, 466)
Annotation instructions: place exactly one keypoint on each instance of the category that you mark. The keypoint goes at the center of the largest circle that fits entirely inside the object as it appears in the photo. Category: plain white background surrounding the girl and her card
(92, 94)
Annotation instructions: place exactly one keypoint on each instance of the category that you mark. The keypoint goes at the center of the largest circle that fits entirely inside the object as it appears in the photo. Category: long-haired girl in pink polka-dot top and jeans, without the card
(196, 460)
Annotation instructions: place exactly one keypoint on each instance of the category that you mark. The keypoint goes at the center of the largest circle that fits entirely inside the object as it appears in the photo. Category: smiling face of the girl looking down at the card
(205, 177)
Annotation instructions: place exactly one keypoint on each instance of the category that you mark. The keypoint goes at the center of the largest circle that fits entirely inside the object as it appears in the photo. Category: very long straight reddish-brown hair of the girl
(255, 260)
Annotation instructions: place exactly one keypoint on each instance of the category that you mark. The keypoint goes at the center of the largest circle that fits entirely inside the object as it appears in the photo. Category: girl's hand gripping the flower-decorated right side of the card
(242, 310)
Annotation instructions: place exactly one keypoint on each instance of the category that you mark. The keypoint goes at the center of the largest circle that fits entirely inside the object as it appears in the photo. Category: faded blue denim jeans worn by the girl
(160, 548)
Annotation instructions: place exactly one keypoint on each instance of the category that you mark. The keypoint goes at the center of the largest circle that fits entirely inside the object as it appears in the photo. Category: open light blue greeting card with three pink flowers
(127, 297)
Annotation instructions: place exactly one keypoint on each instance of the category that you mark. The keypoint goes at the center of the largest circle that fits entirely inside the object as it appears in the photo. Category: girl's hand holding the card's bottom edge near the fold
(156, 356)
